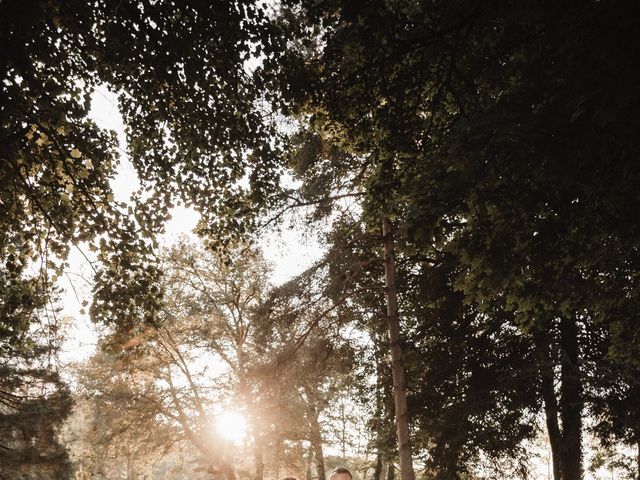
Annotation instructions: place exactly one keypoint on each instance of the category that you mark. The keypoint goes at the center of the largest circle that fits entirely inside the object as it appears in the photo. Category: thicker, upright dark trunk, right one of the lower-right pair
(571, 402)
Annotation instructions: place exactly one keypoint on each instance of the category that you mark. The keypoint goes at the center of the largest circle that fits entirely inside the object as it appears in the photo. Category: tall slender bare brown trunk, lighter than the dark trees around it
(397, 366)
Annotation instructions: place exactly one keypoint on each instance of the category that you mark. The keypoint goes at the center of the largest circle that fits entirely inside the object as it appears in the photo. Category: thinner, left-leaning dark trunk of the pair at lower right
(545, 368)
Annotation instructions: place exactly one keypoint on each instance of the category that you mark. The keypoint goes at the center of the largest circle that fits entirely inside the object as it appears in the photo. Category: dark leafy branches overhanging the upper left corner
(195, 129)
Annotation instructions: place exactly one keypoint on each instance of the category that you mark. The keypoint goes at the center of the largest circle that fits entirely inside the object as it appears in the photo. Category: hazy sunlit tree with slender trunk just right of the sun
(214, 298)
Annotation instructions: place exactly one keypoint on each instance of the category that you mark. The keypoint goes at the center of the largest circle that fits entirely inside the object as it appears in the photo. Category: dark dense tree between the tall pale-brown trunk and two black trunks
(476, 385)
